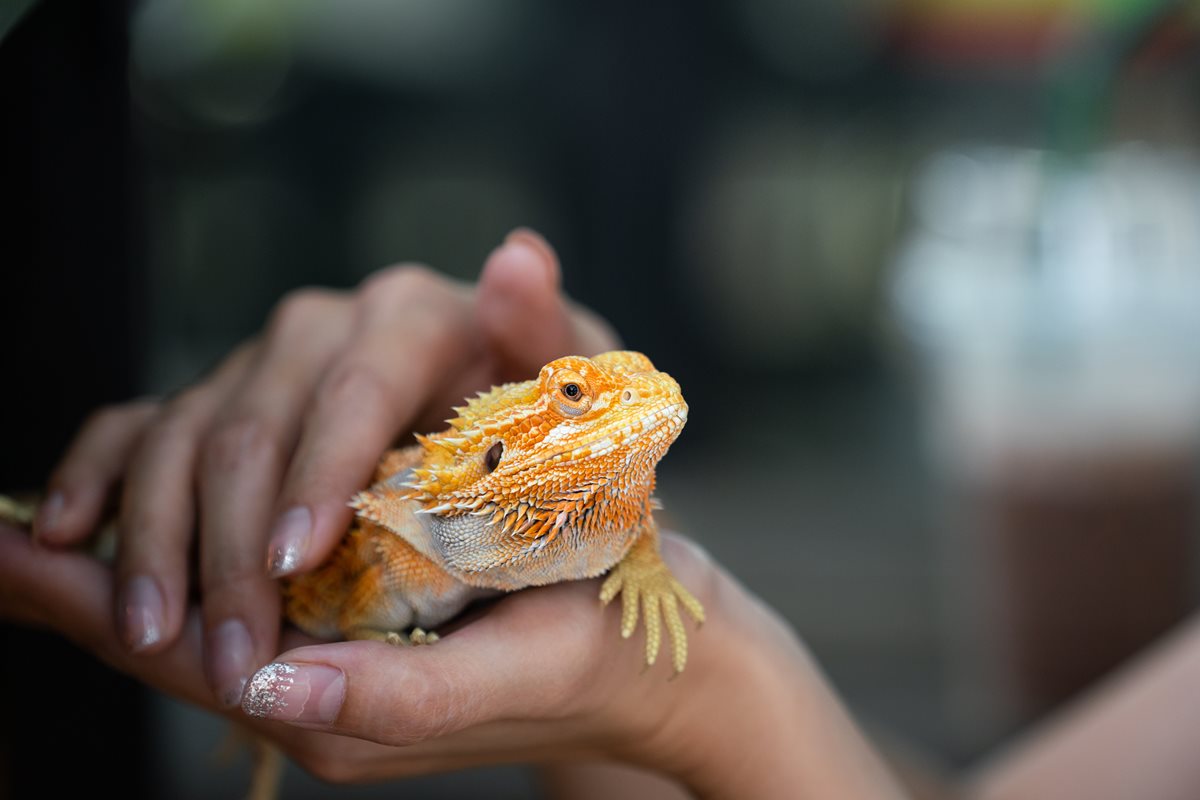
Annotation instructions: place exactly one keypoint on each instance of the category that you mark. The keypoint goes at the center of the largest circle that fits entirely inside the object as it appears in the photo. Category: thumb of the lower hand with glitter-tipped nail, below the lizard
(506, 667)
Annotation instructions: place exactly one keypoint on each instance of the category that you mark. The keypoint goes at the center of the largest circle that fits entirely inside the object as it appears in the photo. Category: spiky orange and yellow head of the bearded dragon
(574, 449)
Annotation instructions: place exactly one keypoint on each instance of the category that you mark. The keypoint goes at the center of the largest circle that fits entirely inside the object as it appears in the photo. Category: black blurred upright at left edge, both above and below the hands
(68, 338)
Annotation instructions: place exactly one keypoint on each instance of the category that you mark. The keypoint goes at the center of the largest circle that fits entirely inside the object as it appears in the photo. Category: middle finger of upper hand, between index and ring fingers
(242, 467)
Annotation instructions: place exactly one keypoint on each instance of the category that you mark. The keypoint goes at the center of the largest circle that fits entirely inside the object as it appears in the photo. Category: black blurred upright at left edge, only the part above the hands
(71, 322)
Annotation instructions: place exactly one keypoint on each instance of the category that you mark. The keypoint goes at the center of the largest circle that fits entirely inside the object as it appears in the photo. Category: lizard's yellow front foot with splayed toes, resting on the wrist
(643, 576)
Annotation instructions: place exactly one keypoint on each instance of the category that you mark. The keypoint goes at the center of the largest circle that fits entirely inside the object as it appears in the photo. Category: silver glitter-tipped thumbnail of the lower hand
(289, 693)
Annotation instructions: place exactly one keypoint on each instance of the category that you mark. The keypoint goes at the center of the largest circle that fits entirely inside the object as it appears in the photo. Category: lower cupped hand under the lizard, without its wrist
(542, 676)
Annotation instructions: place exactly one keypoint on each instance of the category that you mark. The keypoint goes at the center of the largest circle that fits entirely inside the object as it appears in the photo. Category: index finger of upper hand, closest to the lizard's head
(412, 330)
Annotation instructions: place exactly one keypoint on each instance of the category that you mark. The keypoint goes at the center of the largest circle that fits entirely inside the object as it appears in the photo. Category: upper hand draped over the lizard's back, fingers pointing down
(266, 452)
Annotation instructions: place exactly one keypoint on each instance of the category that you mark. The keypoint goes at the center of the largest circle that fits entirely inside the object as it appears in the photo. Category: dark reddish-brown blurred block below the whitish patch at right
(1094, 562)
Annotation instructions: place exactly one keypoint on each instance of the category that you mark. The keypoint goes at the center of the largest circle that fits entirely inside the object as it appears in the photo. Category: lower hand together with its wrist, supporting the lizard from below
(542, 677)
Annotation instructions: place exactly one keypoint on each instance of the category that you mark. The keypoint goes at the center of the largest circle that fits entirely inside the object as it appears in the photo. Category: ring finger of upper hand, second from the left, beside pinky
(159, 510)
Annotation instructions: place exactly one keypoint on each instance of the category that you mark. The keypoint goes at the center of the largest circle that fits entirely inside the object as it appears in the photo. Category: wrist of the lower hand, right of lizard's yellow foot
(758, 718)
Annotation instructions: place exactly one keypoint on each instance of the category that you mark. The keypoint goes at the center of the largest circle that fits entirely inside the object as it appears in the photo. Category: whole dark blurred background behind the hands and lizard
(928, 272)
